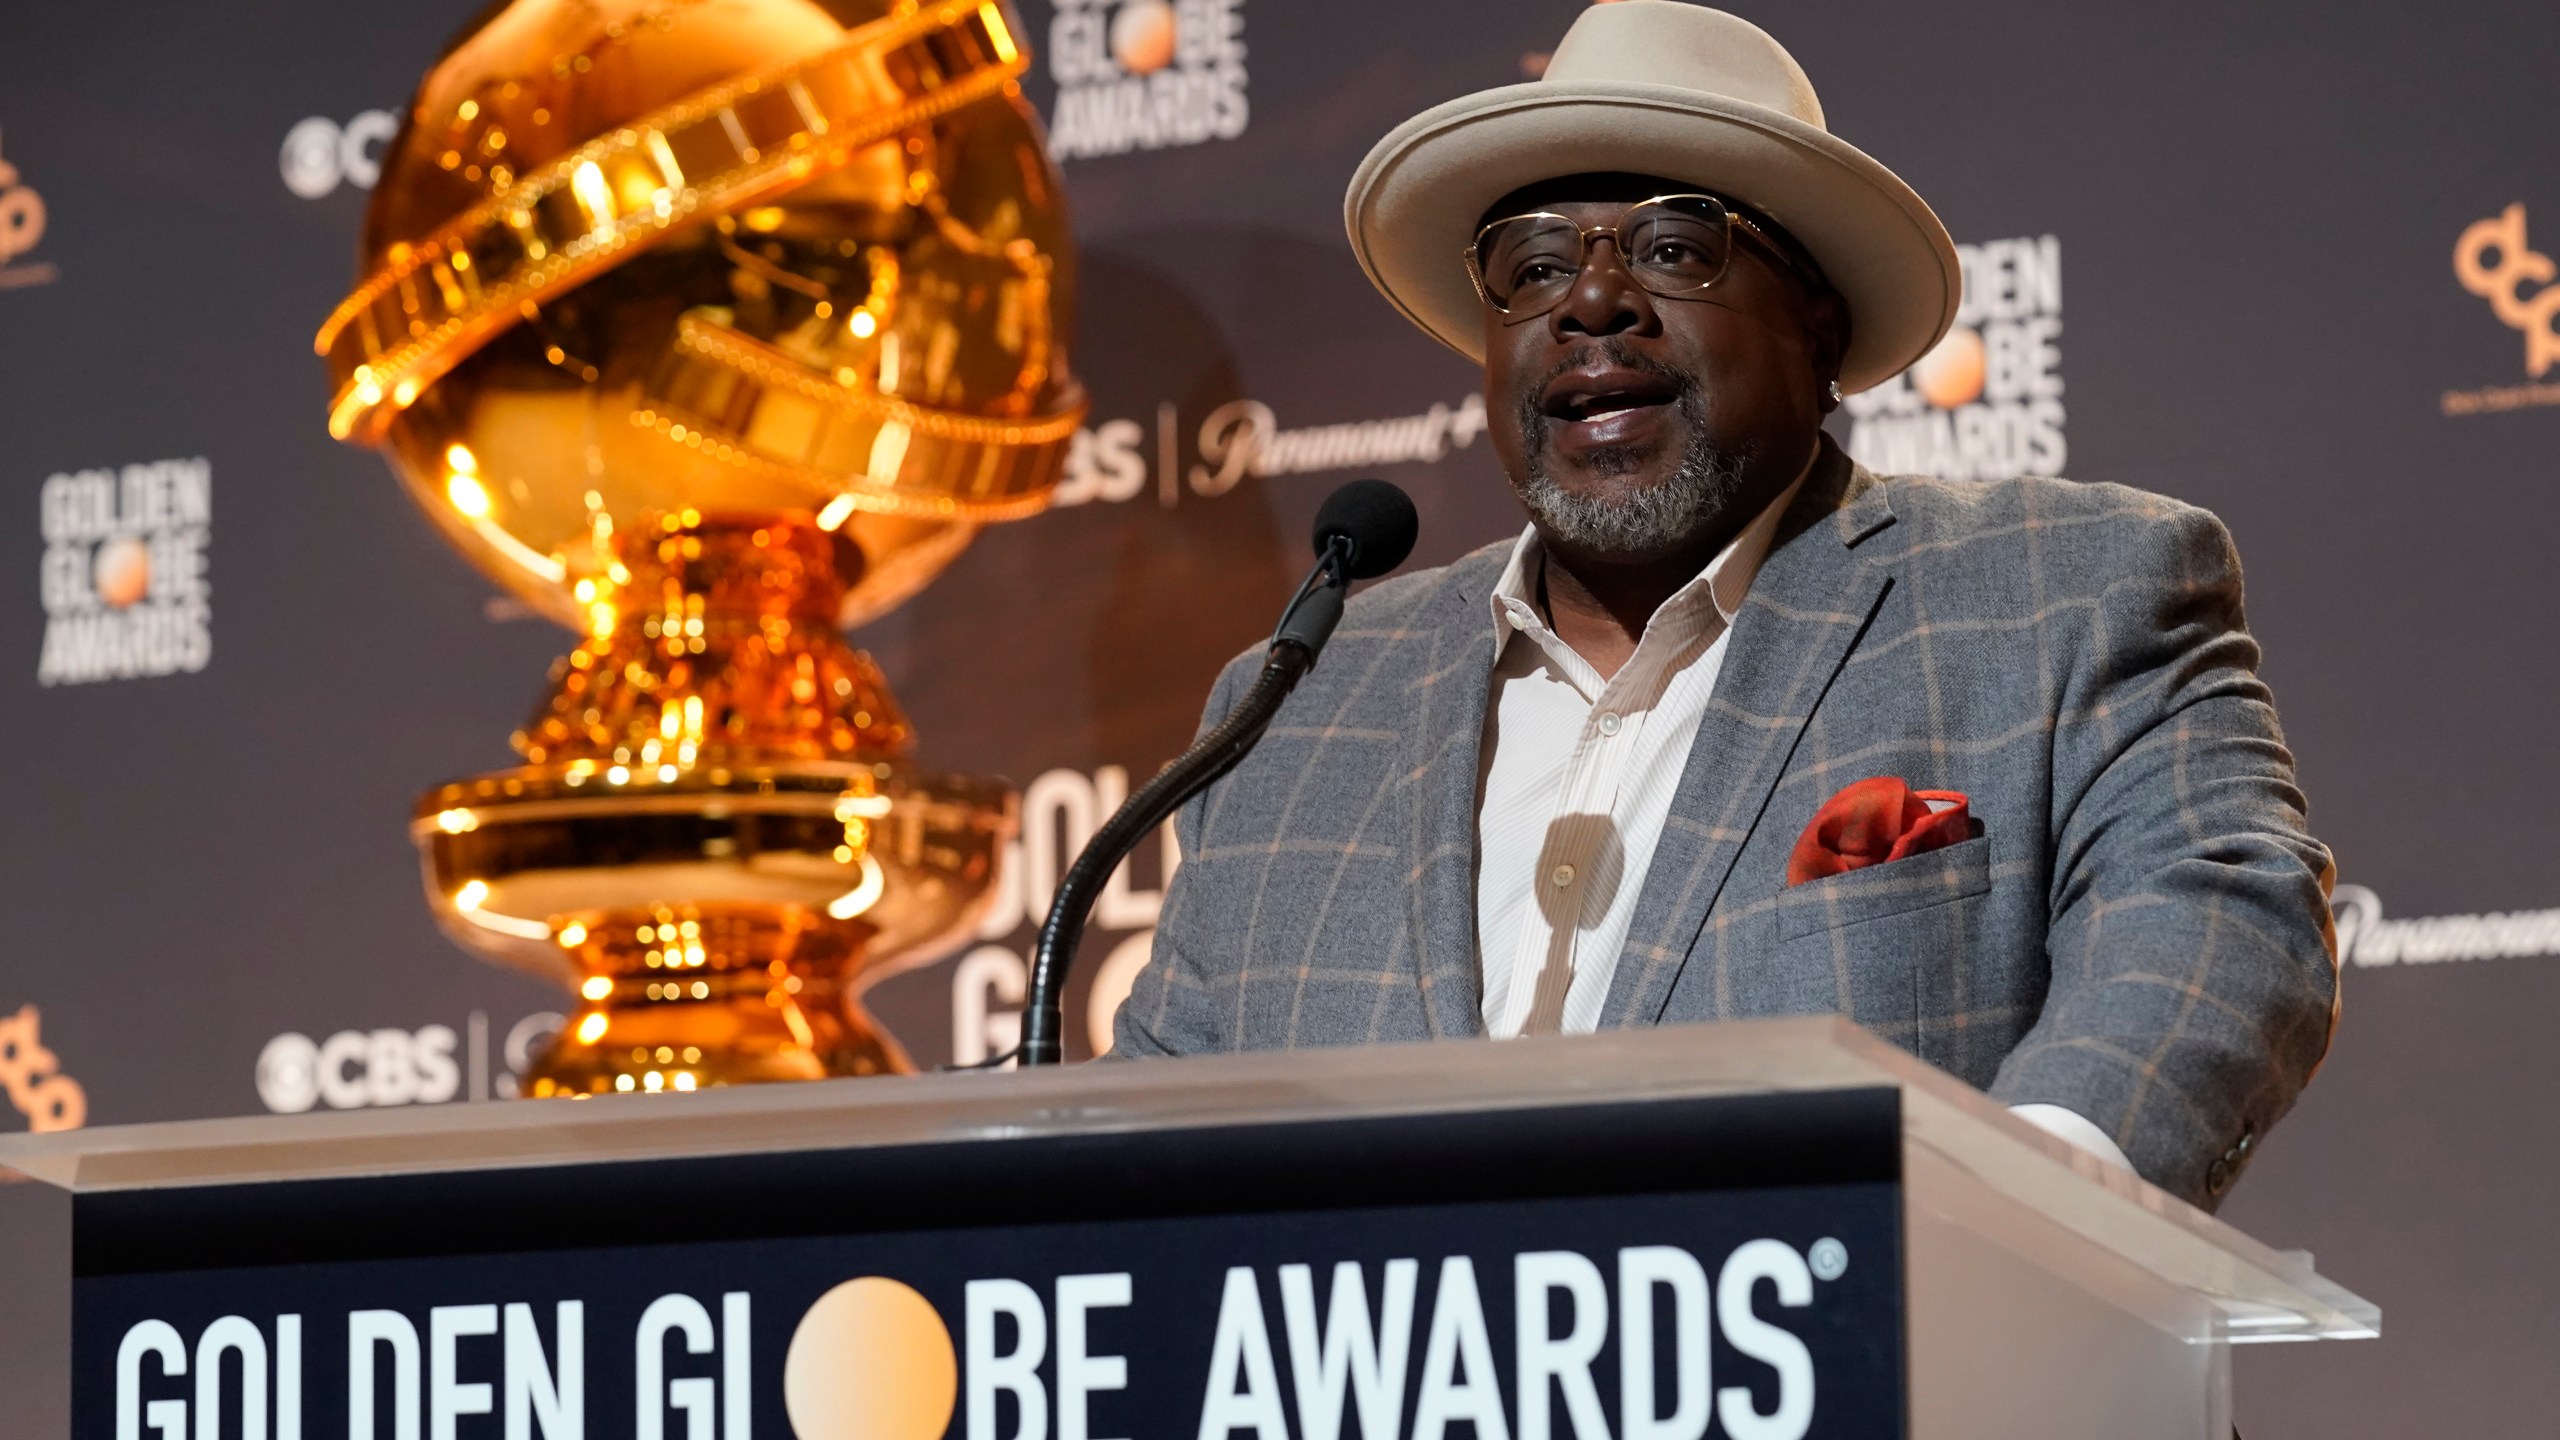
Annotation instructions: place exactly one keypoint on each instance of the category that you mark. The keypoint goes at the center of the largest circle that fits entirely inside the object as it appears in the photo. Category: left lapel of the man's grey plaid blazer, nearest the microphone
(1443, 744)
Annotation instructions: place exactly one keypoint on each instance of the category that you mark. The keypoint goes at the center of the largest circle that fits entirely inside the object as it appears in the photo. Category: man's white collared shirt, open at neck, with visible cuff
(1576, 783)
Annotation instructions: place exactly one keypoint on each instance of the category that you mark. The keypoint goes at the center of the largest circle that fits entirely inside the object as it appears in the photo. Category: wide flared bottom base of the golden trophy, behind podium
(718, 926)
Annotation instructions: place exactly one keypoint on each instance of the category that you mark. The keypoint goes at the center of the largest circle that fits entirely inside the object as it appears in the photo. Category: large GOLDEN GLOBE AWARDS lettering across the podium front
(1368, 1357)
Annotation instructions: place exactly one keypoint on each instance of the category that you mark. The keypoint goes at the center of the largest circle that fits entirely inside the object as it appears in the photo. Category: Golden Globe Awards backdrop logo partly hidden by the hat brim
(1988, 404)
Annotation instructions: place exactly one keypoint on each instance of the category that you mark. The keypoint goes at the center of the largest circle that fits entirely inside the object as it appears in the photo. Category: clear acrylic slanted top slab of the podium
(1965, 1159)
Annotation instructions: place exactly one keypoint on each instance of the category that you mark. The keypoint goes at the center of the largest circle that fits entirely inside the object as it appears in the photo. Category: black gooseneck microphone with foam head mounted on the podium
(1363, 532)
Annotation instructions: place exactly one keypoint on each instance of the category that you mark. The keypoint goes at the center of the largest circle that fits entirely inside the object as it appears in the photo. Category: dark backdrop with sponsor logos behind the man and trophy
(2272, 260)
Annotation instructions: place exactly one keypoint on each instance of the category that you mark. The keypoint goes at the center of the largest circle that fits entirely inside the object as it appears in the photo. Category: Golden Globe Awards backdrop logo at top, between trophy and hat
(1146, 76)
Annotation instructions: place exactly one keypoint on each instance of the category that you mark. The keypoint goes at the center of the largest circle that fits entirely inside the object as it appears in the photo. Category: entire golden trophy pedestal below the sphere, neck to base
(718, 842)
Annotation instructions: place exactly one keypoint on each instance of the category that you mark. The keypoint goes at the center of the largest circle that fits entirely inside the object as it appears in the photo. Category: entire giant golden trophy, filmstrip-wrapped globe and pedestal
(710, 329)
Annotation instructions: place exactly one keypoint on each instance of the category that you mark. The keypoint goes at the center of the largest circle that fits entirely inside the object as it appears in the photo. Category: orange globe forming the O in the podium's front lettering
(872, 1362)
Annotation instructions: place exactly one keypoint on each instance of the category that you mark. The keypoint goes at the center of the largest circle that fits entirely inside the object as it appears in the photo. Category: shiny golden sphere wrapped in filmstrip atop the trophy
(736, 255)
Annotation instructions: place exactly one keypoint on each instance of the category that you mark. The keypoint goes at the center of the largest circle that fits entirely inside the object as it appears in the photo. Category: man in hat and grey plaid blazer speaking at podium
(1734, 726)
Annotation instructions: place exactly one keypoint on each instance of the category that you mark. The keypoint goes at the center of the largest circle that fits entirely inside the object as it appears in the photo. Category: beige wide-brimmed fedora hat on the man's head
(1678, 91)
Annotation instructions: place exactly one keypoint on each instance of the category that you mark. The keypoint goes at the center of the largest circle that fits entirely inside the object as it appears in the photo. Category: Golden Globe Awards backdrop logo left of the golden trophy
(127, 588)
